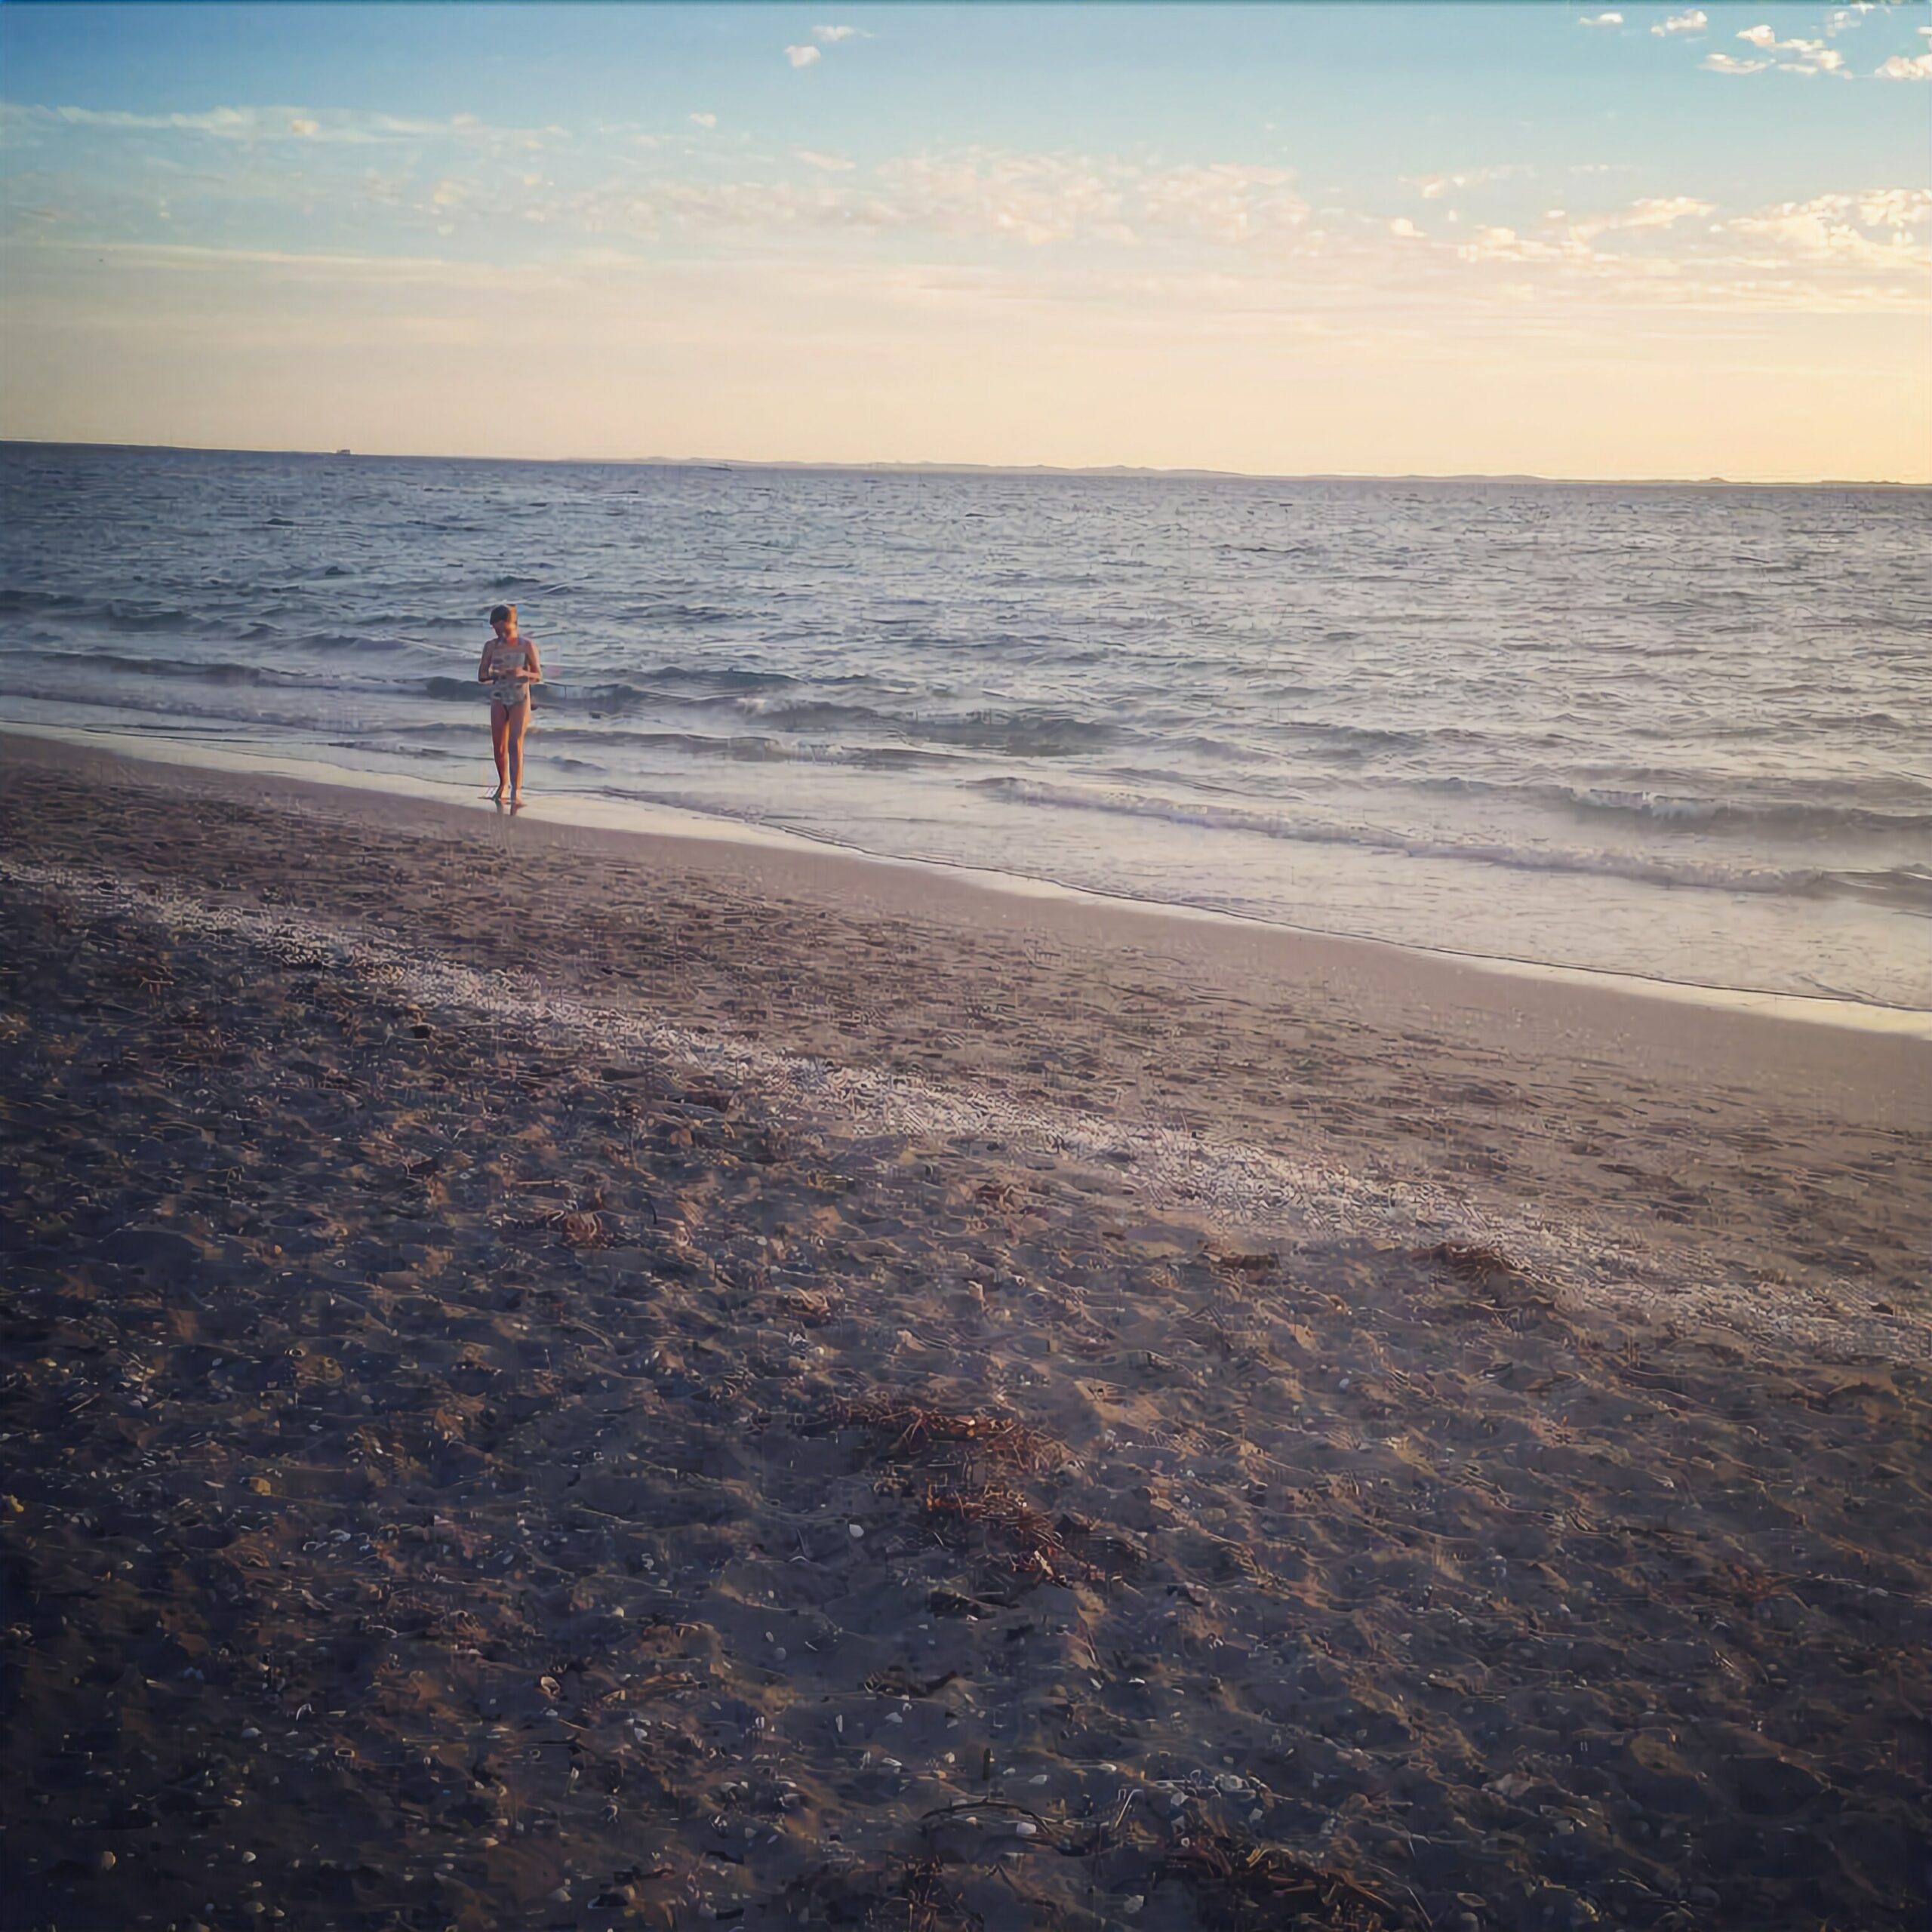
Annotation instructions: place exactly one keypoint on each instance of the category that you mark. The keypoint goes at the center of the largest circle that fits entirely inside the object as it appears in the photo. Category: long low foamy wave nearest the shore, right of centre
(1691, 874)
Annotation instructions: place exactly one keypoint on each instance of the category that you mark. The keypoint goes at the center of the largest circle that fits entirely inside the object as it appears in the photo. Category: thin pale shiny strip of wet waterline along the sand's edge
(588, 812)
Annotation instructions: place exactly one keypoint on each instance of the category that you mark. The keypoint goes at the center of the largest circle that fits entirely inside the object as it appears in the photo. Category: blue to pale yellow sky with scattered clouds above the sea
(1436, 239)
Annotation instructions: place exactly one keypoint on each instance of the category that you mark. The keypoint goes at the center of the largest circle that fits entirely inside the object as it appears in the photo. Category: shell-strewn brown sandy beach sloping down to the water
(565, 1378)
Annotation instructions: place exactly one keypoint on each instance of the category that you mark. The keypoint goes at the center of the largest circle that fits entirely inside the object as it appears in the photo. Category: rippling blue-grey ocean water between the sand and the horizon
(1666, 731)
